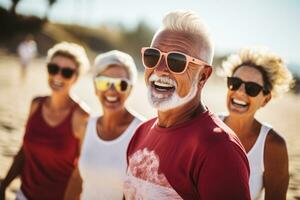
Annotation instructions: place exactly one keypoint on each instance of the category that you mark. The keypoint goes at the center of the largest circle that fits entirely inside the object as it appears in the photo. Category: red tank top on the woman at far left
(50, 156)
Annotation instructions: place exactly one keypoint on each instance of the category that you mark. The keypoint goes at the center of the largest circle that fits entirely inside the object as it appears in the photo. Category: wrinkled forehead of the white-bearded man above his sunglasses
(191, 44)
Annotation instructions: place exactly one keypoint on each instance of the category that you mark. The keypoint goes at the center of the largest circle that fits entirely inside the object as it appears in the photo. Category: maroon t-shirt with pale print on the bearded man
(199, 159)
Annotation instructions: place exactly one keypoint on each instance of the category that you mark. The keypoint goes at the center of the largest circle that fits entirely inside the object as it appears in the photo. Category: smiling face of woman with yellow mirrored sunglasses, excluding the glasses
(111, 99)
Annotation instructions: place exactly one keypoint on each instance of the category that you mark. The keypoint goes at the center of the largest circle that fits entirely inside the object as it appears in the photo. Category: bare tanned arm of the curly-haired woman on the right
(276, 175)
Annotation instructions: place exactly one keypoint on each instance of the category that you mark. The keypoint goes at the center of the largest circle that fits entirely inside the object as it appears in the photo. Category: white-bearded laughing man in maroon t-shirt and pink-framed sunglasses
(186, 152)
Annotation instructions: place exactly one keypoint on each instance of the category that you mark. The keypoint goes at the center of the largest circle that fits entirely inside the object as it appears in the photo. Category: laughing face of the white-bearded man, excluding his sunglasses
(166, 89)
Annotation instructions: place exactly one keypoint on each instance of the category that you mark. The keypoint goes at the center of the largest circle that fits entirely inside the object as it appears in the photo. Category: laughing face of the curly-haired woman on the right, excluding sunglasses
(238, 102)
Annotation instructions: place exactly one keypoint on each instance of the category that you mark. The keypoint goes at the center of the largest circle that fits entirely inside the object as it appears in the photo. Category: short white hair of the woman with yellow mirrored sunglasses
(103, 61)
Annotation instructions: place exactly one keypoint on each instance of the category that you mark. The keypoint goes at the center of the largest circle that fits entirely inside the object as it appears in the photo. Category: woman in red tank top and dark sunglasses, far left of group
(54, 130)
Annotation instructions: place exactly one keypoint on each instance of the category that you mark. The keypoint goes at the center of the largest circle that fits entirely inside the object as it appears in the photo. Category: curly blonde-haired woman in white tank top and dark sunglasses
(255, 75)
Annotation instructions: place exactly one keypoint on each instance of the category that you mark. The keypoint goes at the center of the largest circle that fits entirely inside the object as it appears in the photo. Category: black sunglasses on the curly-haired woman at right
(252, 89)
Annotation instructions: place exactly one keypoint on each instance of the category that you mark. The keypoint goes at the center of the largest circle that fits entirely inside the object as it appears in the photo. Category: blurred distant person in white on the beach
(27, 50)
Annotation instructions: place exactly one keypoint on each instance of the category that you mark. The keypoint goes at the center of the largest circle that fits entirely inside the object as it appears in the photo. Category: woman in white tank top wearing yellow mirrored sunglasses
(102, 163)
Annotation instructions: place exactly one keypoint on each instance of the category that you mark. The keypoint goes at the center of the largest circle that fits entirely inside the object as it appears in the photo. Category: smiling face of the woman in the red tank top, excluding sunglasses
(57, 82)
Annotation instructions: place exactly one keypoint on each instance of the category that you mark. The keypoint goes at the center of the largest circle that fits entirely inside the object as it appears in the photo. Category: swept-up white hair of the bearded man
(189, 22)
